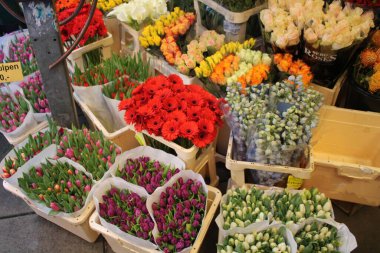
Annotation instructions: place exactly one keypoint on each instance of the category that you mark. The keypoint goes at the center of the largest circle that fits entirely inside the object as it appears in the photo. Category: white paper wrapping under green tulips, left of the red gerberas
(92, 96)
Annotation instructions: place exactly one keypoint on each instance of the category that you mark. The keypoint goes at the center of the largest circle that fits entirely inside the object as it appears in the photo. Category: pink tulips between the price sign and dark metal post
(33, 91)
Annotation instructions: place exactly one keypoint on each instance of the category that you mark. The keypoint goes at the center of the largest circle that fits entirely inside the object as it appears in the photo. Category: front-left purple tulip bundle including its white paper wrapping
(122, 209)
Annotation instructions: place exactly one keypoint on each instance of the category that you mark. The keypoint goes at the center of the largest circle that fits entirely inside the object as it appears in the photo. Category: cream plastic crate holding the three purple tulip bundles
(119, 245)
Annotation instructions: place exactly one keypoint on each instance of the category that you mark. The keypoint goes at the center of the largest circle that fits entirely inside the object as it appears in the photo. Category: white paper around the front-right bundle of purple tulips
(155, 197)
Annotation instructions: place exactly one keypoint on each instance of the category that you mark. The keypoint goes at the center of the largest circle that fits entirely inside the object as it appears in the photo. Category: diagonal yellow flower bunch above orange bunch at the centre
(206, 67)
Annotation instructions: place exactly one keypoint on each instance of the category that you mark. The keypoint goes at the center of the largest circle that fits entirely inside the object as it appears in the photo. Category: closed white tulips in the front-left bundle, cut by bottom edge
(270, 240)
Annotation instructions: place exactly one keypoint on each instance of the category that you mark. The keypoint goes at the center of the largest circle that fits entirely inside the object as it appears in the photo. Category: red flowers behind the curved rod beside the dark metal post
(71, 30)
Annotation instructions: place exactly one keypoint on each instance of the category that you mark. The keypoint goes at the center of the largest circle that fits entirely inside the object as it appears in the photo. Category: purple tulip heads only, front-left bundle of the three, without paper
(128, 211)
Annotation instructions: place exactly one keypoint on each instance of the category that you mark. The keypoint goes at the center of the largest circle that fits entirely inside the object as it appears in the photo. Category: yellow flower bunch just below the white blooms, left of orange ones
(152, 34)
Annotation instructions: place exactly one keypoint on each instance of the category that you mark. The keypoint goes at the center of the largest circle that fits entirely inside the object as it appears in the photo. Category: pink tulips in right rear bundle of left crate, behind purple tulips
(90, 149)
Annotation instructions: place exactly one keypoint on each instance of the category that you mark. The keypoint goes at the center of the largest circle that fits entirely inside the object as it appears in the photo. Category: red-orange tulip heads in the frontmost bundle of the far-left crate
(59, 186)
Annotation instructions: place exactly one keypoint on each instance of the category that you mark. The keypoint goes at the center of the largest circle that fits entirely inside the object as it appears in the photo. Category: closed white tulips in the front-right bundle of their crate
(317, 237)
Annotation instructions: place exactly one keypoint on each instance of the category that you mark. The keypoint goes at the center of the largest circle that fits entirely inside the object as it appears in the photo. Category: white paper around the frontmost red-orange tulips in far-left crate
(49, 152)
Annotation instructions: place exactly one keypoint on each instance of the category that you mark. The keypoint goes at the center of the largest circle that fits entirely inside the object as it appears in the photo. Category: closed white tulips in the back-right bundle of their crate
(291, 208)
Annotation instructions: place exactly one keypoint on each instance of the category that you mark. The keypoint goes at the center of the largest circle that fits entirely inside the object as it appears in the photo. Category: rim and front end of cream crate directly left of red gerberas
(124, 137)
